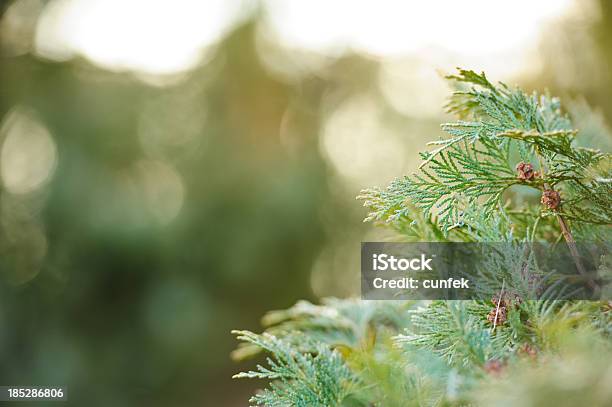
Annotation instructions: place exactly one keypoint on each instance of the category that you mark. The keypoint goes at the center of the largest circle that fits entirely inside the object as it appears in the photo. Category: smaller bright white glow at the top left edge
(148, 36)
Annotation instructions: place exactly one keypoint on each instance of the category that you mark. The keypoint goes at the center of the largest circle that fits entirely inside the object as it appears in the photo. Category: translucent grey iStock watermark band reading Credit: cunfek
(480, 270)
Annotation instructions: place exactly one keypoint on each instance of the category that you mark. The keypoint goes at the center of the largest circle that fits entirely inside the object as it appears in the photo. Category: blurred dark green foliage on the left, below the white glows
(173, 214)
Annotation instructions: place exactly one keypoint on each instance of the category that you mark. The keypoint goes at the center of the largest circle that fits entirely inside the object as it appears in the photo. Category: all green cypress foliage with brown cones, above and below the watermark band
(499, 351)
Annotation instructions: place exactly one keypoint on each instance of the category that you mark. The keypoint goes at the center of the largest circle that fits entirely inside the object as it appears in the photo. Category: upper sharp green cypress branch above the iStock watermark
(474, 166)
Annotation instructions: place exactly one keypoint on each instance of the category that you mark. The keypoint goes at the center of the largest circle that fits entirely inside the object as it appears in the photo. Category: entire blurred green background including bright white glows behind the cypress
(172, 170)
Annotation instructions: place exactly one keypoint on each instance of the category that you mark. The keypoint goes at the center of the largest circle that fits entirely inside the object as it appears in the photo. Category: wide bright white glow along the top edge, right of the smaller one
(392, 27)
